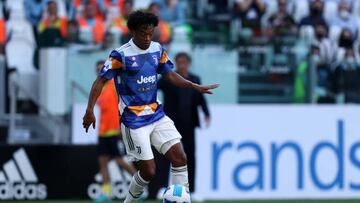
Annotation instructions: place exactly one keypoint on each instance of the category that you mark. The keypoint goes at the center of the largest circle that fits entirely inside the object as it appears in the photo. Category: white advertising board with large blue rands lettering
(280, 152)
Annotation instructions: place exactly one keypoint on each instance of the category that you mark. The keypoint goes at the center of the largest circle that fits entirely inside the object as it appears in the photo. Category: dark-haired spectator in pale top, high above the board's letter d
(326, 48)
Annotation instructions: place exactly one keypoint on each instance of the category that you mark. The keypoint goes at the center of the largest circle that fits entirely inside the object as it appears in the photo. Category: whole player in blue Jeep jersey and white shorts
(135, 67)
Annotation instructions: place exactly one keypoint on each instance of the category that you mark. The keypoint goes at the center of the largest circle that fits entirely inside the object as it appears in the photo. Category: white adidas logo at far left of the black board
(19, 181)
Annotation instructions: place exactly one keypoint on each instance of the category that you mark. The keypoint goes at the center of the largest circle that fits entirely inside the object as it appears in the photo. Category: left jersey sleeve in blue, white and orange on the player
(114, 62)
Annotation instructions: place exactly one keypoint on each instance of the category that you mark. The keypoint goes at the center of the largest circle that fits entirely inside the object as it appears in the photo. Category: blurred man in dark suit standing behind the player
(181, 105)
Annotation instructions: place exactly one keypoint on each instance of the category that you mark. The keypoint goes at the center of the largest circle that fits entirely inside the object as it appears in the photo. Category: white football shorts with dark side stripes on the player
(161, 134)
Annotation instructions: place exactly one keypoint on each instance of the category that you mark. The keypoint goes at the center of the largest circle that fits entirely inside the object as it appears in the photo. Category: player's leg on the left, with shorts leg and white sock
(137, 144)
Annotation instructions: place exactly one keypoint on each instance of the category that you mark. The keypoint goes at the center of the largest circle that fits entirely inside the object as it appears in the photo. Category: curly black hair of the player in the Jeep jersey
(140, 18)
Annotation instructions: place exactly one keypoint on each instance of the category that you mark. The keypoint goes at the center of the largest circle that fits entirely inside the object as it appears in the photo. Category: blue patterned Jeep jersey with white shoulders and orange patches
(135, 72)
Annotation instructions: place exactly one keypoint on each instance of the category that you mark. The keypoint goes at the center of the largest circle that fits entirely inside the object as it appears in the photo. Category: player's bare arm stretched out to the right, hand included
(179, 81)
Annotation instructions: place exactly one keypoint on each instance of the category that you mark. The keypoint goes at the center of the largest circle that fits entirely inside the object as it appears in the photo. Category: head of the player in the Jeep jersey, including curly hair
(141, 25)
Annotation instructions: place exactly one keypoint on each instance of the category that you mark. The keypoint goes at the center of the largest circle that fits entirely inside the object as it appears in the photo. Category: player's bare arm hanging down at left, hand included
(89, 117)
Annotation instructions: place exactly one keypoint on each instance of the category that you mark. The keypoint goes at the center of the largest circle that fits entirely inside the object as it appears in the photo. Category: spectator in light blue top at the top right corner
(344, 18)
